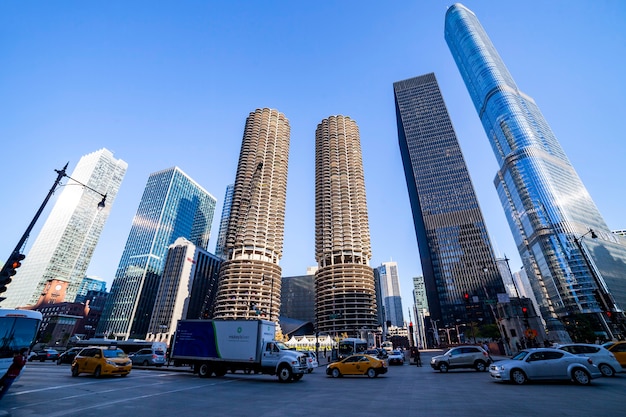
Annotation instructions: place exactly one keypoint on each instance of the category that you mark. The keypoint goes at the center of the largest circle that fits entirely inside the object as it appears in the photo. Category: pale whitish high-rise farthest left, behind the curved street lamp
(64, 247)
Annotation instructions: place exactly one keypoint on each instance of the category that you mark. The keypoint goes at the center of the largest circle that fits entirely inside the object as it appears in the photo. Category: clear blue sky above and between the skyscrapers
(171, 83)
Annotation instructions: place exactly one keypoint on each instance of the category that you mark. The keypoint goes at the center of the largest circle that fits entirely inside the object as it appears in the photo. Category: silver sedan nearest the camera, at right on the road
(545, 364)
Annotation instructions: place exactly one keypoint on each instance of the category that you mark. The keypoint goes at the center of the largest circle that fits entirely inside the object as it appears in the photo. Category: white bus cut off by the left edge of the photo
(18, 329)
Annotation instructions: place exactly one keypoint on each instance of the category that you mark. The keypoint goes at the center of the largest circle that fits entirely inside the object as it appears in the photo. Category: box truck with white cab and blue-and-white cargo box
(214, 347)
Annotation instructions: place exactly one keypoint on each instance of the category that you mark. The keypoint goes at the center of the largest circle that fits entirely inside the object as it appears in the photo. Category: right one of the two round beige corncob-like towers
(345, 298)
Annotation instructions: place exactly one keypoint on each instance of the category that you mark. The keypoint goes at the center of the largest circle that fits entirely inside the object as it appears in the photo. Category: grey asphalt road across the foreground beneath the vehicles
(46, 389)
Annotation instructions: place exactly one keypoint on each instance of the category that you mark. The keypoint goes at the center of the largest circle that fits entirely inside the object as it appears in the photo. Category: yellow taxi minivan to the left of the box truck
(98, 361)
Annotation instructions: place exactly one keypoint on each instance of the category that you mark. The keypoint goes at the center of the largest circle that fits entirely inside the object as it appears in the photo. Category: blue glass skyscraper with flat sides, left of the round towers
(172, 206)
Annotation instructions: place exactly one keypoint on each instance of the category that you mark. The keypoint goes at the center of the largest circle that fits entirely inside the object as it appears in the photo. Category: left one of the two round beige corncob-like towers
(250, 277)
